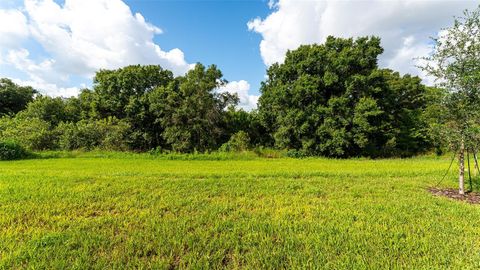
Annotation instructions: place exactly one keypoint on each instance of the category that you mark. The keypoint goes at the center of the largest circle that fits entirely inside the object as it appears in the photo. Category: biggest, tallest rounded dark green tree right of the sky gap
(332, 100)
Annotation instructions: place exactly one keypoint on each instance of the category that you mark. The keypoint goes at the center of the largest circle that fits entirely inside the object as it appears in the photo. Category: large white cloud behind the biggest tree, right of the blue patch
(404, 26)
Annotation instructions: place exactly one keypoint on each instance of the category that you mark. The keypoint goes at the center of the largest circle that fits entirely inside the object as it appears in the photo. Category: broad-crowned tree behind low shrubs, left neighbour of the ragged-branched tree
(124, 94)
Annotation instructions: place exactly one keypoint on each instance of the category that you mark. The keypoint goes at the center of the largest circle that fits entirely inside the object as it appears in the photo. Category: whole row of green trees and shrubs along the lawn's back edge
(328, 99)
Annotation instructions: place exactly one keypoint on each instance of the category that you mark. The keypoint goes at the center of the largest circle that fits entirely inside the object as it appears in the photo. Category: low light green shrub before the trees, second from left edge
(105, 134)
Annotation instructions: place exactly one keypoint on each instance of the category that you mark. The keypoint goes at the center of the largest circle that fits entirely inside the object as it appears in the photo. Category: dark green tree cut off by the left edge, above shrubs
(14, 98)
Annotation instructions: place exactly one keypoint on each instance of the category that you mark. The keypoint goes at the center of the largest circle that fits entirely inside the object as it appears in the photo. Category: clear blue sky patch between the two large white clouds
(211, 32)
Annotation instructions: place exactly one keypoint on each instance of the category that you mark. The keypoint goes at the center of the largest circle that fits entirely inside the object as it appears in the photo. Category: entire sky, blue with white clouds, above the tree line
(56, 46)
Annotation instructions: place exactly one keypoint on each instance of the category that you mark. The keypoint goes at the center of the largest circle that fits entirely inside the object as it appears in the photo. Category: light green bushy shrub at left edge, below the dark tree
(31, 133)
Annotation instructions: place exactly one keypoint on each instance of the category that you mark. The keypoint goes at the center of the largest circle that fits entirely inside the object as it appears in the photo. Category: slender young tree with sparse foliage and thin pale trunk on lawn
(455, 63)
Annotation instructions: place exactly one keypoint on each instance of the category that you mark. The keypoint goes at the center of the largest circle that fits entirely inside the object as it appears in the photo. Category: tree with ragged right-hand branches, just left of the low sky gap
(191, 111)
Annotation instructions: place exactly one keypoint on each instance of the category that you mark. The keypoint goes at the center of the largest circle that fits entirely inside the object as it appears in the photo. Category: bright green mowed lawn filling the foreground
(135, 211)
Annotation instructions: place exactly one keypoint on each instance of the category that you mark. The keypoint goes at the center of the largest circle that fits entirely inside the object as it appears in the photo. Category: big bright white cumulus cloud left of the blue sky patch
(80, 37)
